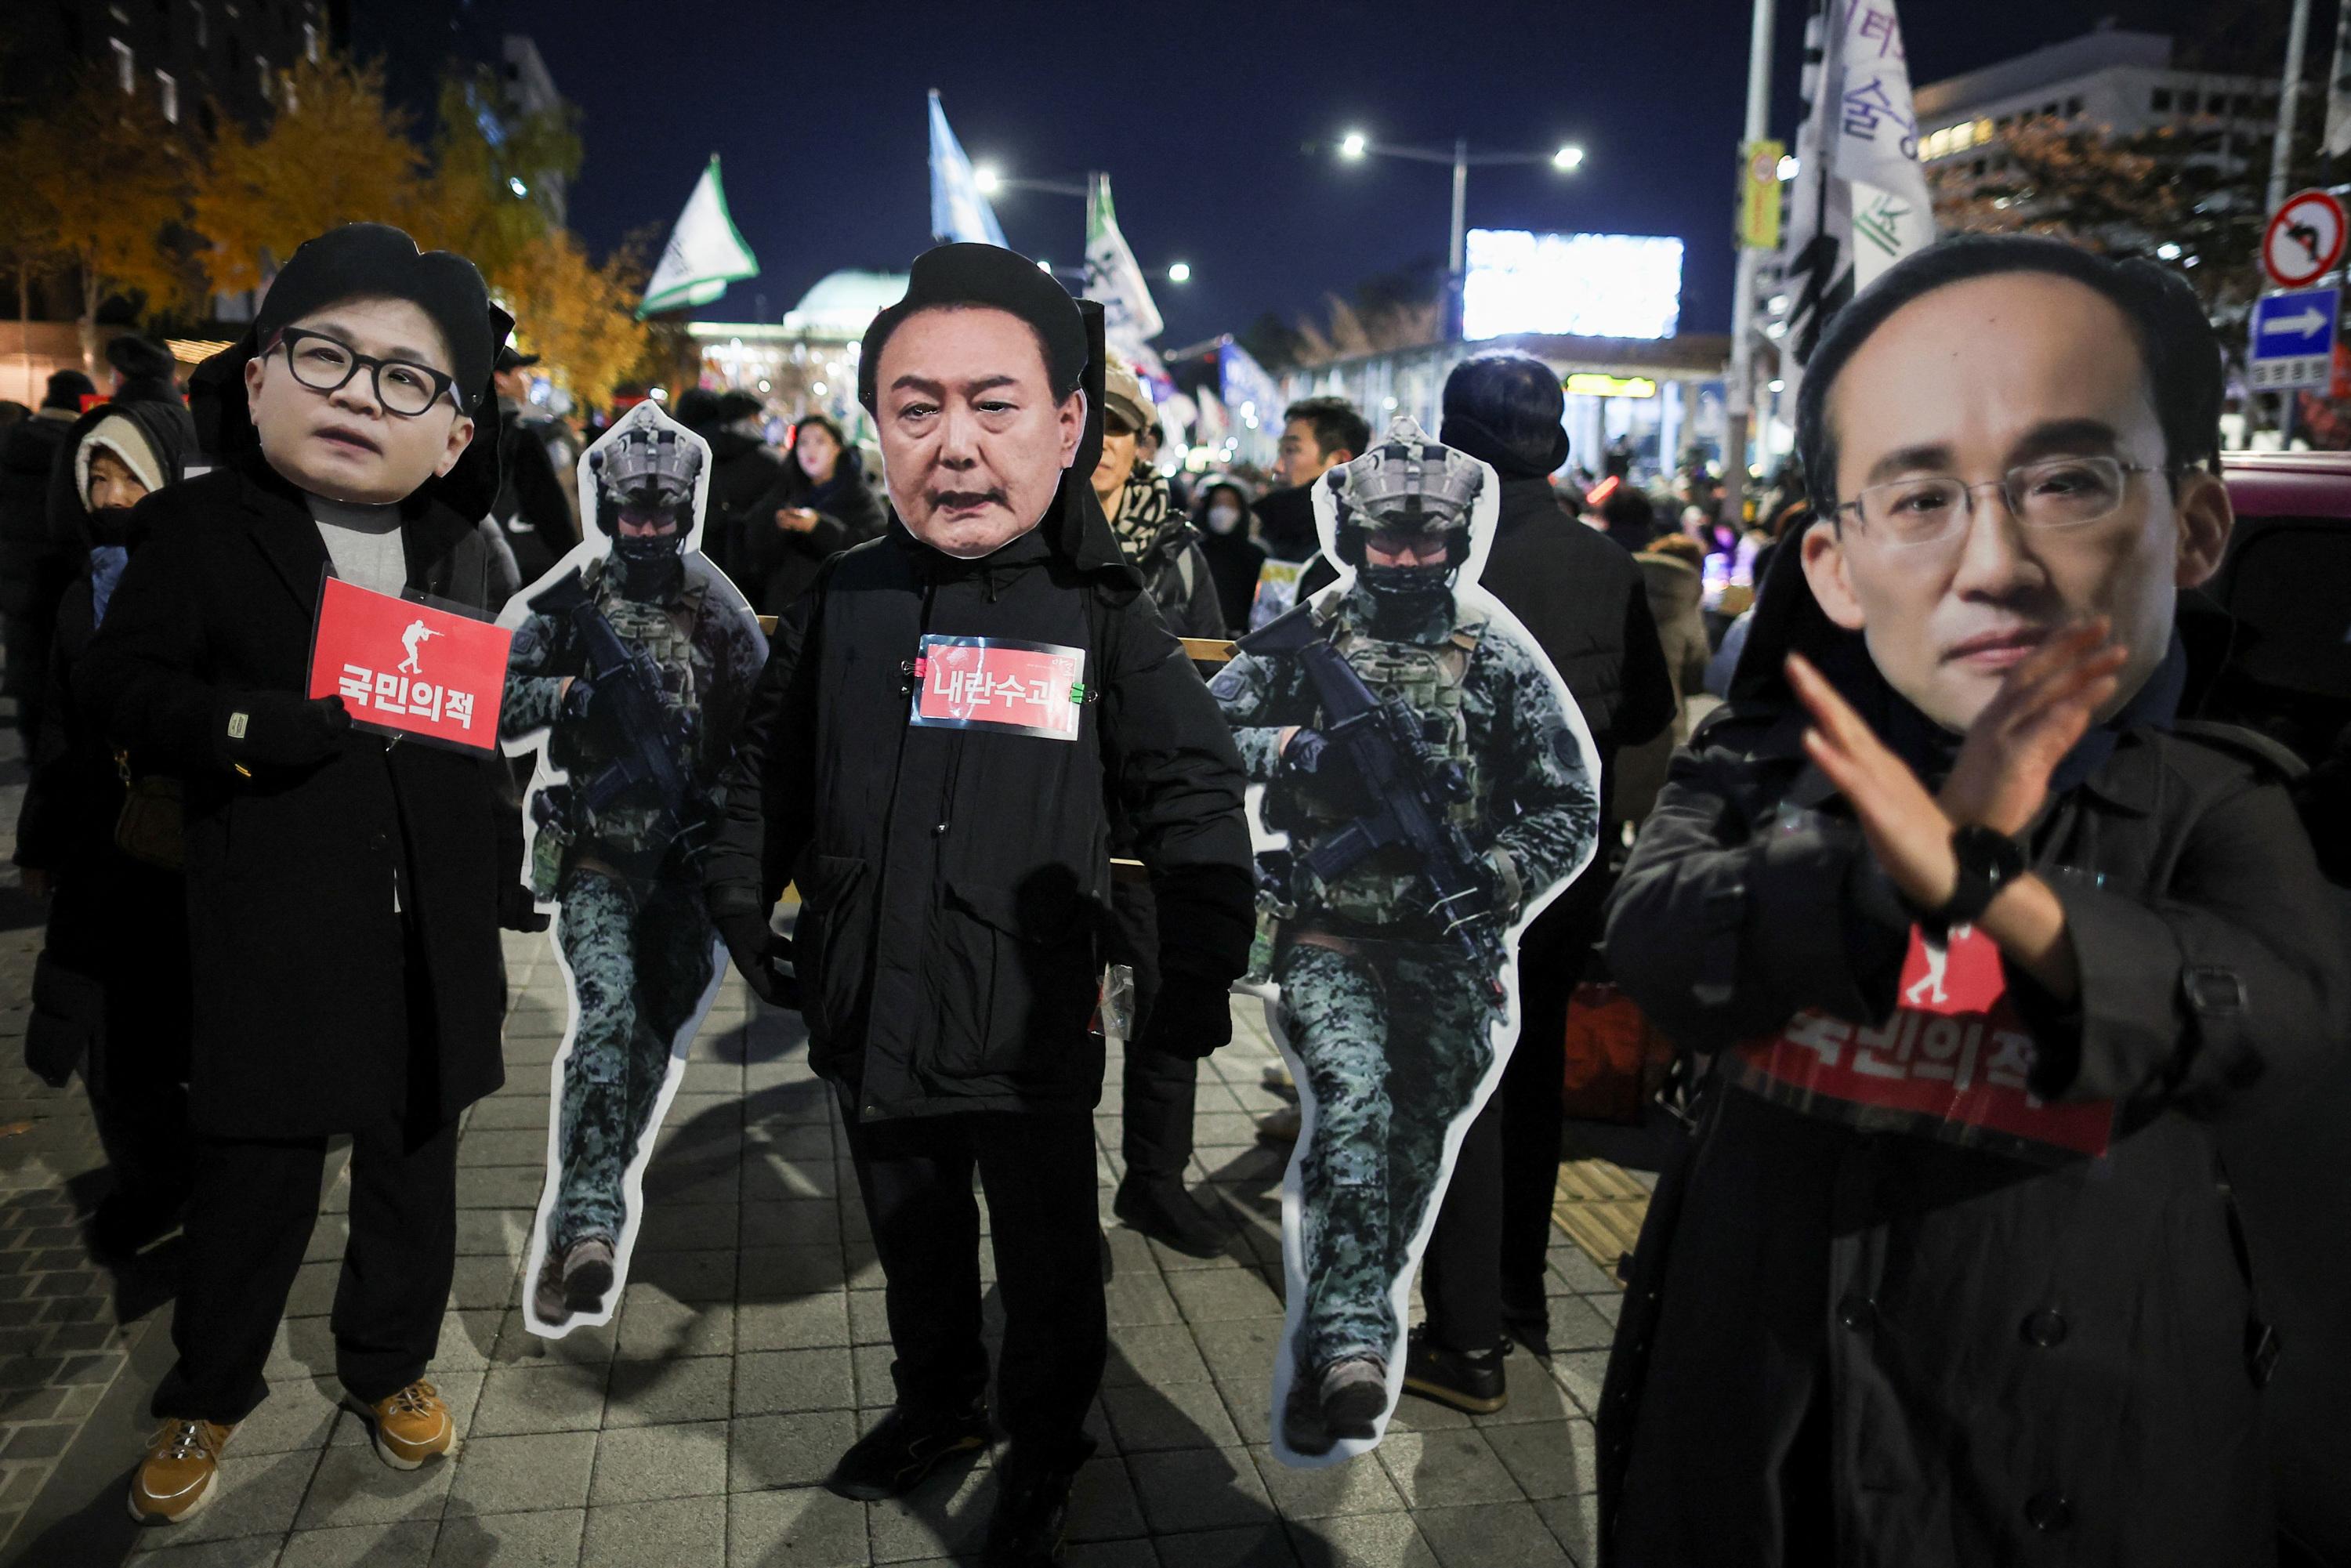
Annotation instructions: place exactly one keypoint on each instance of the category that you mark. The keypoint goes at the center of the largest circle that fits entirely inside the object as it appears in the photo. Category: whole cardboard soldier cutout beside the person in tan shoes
(631, 671)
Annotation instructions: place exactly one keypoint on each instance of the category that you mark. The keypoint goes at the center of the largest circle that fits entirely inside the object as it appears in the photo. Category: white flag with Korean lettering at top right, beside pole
(1861, 196)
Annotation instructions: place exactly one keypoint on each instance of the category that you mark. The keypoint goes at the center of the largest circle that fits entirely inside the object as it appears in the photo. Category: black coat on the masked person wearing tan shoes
(319, 1010)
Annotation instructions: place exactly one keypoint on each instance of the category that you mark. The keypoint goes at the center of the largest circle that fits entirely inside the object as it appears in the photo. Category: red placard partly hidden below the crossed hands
(1953, 1064)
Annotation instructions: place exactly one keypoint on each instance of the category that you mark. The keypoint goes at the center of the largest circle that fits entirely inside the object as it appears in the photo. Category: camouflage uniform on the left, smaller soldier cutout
(634, 930)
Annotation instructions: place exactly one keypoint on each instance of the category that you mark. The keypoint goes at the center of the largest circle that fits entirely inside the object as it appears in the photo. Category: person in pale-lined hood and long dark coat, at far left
(112, 981)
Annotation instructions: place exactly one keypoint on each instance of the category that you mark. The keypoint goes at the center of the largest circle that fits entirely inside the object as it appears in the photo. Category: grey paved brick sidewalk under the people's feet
(749, 1355)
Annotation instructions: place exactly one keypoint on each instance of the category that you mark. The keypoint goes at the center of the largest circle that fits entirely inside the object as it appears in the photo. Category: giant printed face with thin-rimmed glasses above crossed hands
(2002, 474)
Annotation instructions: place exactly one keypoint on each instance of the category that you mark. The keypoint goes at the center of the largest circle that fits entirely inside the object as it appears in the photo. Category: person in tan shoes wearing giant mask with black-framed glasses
(344, 890)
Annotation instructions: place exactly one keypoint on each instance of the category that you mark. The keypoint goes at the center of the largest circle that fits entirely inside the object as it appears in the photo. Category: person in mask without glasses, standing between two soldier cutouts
(937, 751)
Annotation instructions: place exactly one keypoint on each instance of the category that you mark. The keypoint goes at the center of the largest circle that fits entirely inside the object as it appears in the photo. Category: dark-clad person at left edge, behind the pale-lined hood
(34, 565)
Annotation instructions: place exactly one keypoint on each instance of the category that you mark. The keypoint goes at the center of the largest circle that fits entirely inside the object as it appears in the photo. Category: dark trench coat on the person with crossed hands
(1974, 1360)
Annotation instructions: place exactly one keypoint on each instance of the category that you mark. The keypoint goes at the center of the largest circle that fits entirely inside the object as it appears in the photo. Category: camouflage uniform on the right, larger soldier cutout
(1388, 1019)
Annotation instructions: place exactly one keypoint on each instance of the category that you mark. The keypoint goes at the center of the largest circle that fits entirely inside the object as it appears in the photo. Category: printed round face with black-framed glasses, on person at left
(356, 401)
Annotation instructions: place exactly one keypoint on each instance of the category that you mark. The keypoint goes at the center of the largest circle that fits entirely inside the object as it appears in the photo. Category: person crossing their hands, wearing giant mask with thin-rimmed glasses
(1985, 949)
